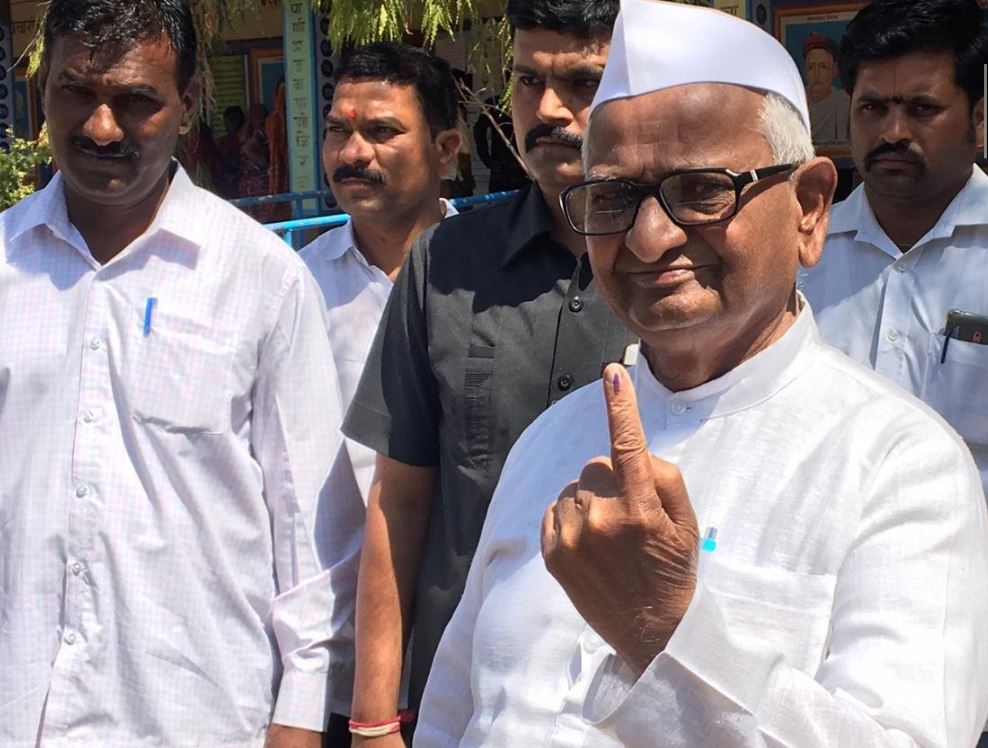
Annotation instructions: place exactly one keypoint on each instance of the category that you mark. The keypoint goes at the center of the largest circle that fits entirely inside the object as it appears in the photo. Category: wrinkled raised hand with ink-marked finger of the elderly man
(622, 541)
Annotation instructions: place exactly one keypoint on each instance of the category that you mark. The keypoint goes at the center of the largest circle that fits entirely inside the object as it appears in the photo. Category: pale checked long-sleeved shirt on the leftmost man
(158, 480)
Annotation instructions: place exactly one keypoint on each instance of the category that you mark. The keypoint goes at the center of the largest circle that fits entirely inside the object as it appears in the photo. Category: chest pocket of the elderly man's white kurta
(789, 611)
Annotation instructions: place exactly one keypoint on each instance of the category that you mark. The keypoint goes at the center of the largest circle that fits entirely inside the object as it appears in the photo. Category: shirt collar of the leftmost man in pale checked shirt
(180, 213)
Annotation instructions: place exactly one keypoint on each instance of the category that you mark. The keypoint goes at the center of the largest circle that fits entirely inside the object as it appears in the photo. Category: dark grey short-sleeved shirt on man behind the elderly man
(490, 321)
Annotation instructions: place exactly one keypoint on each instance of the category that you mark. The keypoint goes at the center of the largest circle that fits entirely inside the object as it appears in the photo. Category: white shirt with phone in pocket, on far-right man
(887, 309)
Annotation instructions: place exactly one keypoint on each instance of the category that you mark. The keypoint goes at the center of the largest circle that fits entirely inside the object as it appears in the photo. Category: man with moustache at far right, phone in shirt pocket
(911, 243)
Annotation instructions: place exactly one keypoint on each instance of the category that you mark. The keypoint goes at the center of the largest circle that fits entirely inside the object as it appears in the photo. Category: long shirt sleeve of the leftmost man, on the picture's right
(295, 438)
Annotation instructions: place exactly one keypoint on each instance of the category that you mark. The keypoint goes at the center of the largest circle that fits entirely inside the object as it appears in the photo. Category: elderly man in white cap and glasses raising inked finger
(778, 548)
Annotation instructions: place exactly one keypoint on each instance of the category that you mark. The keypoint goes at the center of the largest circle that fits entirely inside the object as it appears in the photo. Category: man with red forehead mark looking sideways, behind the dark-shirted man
(390, 136)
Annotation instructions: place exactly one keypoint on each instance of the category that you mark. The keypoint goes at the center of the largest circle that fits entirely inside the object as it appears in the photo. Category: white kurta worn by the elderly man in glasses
(844, 605)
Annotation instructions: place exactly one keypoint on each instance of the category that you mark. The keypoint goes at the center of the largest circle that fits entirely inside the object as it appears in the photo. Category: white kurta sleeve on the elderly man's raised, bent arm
(906, 656)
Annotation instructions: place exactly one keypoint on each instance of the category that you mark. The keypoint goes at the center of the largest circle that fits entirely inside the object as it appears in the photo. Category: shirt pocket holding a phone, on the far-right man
(957, 387)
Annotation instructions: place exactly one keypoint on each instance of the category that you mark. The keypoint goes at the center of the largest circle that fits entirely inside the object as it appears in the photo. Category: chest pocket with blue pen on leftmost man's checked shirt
(179, 376)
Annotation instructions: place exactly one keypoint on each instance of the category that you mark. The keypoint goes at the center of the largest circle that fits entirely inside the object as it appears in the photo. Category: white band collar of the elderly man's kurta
(746, 385)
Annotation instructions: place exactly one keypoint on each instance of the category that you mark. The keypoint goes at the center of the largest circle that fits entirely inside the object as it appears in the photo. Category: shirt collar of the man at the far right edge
(966, 209)
